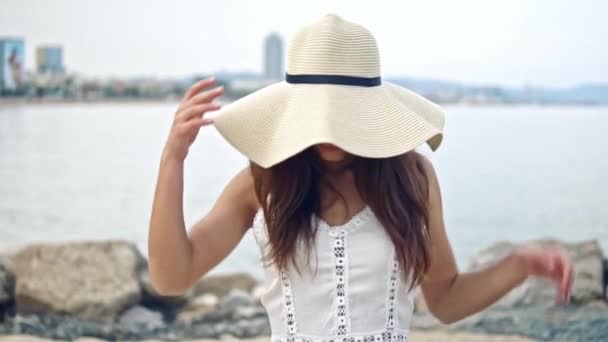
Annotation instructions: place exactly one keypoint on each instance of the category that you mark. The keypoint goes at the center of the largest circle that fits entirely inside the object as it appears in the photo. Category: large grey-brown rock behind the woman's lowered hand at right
(586, 257)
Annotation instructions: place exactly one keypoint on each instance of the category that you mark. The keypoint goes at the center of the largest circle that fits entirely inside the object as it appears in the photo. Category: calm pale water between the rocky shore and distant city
(89, 172)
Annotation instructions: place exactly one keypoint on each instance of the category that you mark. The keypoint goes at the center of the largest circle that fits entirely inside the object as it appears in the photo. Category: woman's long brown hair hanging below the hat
(395, 188)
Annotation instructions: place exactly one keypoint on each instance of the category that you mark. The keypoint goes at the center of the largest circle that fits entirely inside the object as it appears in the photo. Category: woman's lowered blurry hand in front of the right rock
(552, 262)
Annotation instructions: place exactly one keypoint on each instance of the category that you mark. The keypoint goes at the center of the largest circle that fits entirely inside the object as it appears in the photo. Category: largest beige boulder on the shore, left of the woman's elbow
(88, 280)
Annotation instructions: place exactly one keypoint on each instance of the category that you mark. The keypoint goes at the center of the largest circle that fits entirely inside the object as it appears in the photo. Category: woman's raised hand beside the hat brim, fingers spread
(189, 118)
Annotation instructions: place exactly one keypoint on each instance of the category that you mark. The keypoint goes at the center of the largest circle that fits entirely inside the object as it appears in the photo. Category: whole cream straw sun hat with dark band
(332, 93)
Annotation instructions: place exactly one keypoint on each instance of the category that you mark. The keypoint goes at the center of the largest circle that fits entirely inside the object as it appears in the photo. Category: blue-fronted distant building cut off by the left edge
(12, 57)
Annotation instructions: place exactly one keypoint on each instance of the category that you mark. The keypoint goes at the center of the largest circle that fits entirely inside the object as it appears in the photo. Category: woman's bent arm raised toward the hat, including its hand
(178, 258)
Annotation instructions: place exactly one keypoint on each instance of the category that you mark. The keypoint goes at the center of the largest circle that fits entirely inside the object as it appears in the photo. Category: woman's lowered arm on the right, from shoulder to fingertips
(452, 296)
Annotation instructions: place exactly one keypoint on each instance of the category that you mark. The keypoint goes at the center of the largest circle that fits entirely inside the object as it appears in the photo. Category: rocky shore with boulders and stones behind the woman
(100, 290)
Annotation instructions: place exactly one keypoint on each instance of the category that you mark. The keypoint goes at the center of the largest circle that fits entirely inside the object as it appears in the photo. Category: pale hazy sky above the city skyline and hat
(556, 43)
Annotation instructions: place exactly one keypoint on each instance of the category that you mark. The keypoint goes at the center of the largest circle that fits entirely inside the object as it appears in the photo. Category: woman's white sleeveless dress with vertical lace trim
(357, 294)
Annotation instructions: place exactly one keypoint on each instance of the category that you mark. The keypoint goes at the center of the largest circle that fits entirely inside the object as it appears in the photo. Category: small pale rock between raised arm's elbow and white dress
(220, 285)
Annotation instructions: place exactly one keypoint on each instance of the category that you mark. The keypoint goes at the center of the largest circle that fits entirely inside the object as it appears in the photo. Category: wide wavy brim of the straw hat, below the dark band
(283, 119)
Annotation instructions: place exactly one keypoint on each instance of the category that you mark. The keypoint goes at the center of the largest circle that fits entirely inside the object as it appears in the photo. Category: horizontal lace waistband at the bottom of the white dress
(381, 336)
